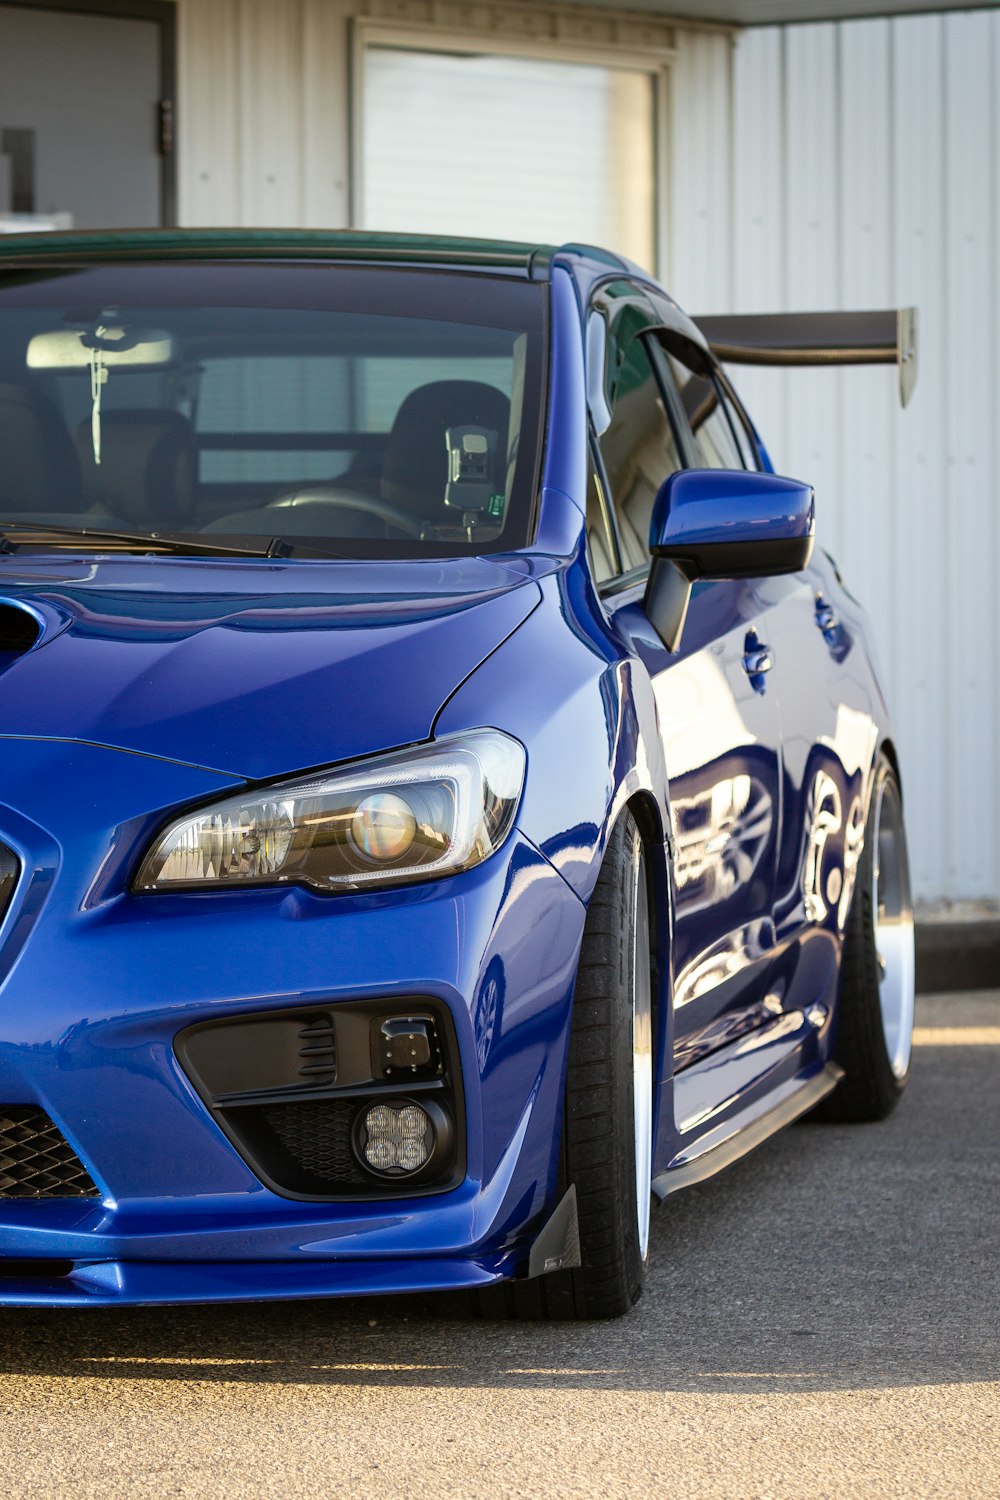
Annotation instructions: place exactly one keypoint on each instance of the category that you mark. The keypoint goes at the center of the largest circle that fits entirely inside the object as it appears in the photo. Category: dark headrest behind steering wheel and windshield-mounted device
(416, 466)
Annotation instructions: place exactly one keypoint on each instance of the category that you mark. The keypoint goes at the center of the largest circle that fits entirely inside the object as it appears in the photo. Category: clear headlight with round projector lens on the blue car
(409, 817)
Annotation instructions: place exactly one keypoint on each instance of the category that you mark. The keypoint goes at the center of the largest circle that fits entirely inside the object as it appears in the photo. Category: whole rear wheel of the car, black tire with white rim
(878, 968)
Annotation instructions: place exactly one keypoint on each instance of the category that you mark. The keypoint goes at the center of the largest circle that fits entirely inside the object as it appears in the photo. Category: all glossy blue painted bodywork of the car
(160, 683)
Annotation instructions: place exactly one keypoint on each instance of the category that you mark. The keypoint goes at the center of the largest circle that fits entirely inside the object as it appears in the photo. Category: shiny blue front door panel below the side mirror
(719, 724)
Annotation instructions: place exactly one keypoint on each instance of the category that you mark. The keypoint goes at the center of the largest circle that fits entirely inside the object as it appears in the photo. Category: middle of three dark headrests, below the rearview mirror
(149, 466)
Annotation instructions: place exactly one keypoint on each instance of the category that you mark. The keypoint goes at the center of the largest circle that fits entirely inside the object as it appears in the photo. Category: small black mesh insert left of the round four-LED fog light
(305, 1147)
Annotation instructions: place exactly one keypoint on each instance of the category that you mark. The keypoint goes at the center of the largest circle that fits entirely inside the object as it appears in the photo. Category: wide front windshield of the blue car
(275, 406)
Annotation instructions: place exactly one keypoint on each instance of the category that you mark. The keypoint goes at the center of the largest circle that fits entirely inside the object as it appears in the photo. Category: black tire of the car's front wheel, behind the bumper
(599, 1132)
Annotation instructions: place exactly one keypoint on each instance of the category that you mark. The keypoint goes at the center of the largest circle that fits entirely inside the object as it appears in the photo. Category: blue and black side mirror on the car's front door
(722, 524)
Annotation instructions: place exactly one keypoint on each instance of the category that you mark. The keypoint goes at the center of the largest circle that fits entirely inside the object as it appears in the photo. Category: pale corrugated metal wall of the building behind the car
(807, 167)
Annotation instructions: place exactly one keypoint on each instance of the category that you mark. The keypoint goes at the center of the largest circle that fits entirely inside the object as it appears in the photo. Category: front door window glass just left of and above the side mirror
(639, 452)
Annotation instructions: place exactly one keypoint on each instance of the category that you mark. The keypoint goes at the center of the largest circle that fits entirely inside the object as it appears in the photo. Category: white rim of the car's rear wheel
(893, 922)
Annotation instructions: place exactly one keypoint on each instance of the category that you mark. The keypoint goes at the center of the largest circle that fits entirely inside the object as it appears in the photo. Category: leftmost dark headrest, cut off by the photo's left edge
(40, 475)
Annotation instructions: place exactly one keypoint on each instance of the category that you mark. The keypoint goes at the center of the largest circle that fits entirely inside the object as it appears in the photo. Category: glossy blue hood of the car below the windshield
(251, 668)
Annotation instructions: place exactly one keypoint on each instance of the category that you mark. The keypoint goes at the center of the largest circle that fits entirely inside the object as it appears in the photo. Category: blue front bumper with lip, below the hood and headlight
(97, 983)
